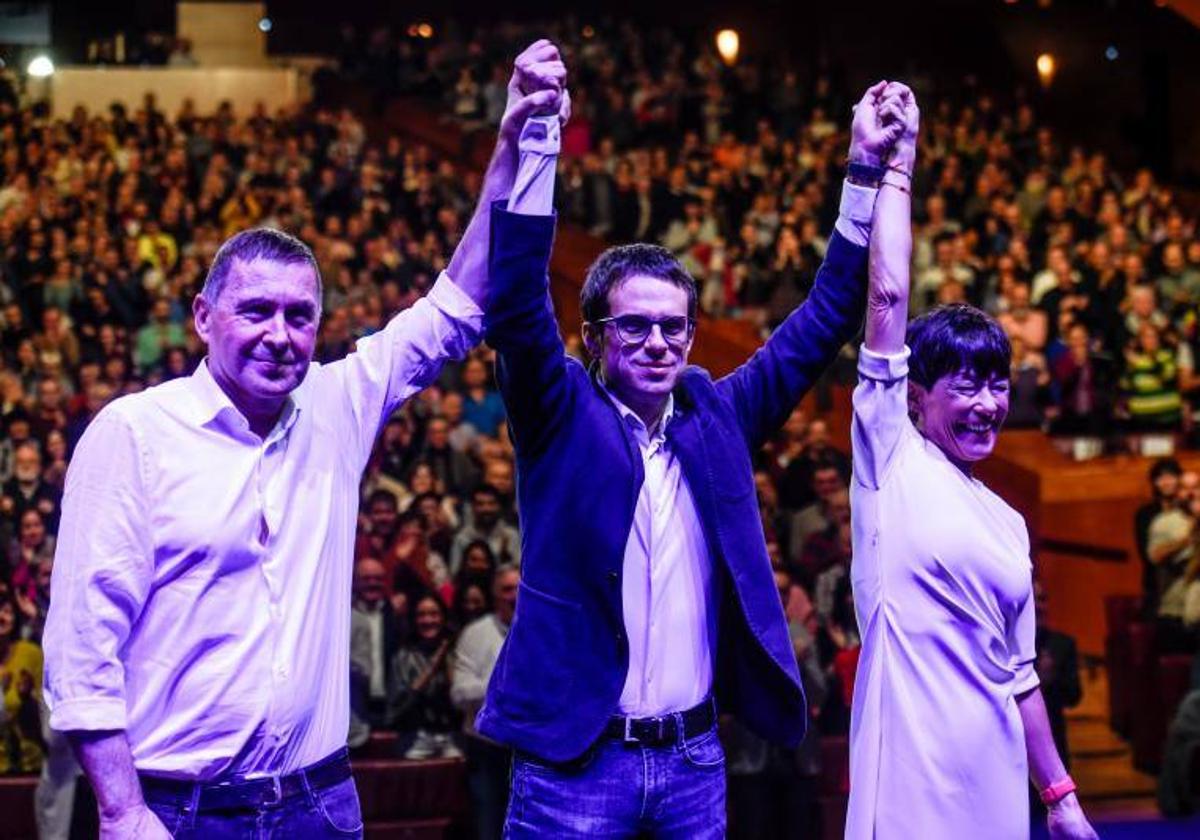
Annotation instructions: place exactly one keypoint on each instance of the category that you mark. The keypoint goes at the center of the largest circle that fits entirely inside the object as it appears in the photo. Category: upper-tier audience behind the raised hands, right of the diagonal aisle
(1094, 273)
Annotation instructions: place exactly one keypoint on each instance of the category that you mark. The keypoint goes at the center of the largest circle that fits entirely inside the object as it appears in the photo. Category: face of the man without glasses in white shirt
(262, 331)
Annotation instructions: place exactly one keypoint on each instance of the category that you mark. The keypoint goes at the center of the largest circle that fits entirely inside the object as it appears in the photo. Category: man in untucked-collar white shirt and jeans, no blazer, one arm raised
(199, 647)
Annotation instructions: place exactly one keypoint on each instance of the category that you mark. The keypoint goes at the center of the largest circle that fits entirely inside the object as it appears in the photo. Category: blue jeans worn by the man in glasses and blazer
(619, 790)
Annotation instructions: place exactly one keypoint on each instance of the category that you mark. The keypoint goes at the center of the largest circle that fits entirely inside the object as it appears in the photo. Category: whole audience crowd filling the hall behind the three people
(110, 220)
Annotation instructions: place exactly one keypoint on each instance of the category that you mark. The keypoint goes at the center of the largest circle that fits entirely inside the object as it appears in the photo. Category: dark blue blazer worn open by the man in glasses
(562, 669)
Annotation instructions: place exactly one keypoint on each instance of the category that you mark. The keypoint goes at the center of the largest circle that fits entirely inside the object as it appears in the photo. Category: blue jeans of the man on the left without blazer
(319, 813)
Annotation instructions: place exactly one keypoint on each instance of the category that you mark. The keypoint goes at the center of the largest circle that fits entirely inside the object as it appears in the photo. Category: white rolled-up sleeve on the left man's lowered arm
(104, 567)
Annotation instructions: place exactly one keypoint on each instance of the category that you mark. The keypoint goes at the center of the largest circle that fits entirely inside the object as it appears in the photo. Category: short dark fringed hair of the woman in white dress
(956, 338)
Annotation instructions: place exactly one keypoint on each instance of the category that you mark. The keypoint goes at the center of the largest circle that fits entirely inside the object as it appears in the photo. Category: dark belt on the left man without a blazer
(250, 794)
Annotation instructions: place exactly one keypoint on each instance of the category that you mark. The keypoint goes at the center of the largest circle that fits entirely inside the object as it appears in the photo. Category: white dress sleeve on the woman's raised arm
(881, 415)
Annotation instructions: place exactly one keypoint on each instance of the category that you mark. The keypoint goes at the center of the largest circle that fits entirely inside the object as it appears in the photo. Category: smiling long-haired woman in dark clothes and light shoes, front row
(419, 692)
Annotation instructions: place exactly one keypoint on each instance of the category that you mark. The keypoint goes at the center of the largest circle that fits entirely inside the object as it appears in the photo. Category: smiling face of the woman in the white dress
(963, 415)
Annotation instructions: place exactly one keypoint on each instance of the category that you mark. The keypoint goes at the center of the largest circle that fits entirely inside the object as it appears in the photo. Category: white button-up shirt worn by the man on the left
(202, 581)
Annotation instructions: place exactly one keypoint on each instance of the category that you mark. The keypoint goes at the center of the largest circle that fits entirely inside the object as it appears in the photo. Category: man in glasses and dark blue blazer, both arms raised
(646, 587)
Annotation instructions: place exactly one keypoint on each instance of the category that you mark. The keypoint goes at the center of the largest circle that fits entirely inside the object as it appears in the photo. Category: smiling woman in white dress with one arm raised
(949, 723)
